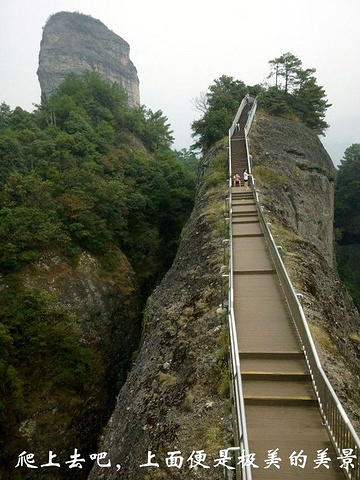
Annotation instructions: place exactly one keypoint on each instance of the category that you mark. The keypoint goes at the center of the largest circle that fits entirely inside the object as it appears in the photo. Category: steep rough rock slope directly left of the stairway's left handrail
(176, 396)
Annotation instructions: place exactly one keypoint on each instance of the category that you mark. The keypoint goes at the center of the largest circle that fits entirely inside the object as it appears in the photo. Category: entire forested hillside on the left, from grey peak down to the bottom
(82, 173)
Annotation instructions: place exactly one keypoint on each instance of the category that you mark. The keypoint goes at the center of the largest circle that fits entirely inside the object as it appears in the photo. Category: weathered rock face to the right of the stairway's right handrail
(295, 178)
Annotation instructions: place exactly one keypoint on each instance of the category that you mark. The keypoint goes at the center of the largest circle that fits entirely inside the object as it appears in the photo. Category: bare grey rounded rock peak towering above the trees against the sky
(74, 43)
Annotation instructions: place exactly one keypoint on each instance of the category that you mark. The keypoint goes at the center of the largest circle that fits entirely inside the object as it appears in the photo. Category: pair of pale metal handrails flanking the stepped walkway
(341, 432)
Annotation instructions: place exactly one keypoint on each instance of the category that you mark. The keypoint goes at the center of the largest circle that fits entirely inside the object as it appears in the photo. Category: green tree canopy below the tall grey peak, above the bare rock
(71, 180)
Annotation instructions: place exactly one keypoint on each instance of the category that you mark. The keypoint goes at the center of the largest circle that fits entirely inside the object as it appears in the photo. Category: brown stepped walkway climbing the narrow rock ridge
(281, 410)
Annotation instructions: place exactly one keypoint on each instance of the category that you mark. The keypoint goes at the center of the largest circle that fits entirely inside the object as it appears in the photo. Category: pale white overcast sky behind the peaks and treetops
(180, 47)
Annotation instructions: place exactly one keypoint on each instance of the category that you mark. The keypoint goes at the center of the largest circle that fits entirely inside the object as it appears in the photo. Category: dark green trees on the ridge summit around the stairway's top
(295, 95)
